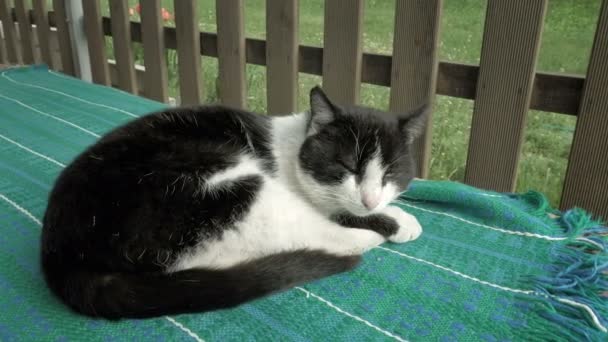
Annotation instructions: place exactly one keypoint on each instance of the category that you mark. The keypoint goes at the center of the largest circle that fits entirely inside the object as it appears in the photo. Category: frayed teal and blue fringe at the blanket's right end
(574, 294)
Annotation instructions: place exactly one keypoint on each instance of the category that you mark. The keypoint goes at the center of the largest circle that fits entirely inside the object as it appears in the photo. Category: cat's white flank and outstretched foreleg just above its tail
(278, 221)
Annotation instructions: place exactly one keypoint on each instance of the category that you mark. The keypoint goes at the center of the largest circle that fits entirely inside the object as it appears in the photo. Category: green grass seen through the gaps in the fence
(566, 43)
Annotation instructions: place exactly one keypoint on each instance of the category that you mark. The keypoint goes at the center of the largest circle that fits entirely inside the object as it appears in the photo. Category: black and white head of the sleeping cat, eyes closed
(355, 158)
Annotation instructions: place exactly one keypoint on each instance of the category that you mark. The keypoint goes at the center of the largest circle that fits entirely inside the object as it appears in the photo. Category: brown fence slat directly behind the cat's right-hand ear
(414, 67)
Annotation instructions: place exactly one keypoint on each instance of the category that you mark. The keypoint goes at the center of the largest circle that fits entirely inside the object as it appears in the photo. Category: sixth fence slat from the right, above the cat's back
(231, 52)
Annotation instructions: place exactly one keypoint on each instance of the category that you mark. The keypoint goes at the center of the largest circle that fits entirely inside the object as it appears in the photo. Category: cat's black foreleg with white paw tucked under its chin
(392, 222)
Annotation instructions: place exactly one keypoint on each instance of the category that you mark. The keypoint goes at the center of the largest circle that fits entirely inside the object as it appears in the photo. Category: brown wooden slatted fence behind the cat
(504, 86)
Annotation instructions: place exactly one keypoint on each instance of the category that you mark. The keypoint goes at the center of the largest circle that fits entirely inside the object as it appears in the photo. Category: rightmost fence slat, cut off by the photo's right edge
(587, 173)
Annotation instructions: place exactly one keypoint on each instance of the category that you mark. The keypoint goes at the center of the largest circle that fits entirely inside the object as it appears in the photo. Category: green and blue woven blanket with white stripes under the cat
(488, 267)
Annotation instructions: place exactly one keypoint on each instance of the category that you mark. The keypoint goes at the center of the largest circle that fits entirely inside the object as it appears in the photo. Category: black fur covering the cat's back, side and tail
(122, 211)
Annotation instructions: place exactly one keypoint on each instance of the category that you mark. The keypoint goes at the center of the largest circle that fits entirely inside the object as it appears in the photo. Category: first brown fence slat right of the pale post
(96, 41)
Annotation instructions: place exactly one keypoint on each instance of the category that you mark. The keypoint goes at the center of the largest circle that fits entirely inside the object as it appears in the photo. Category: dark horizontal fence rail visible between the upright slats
(553, 92)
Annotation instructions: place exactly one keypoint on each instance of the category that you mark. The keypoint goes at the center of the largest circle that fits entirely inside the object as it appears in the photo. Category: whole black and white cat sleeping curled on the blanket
(203, 208)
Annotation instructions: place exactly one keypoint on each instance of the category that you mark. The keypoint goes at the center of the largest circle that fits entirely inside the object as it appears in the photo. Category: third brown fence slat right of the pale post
(156, 78)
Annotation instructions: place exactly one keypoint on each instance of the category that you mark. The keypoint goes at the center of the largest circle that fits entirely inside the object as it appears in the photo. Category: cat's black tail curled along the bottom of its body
(133, 295)
